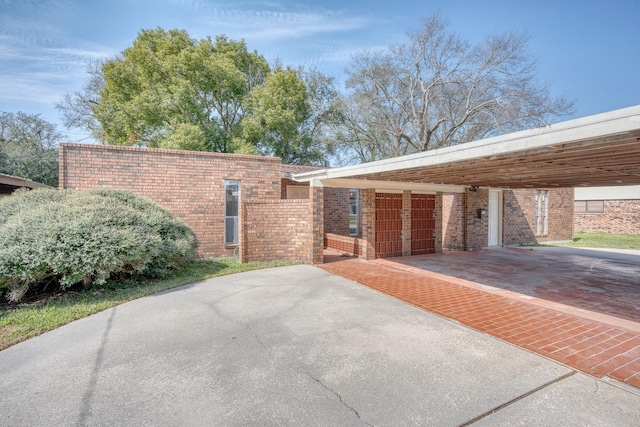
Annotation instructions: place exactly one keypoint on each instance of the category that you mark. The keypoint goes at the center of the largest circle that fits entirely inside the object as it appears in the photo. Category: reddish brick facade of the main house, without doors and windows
(191, 184)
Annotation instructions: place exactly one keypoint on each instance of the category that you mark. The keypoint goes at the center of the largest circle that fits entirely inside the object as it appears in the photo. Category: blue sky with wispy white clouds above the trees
(588, 50)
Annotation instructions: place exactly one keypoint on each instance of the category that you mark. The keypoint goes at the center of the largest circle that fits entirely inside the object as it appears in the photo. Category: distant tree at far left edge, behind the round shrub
(29, 147)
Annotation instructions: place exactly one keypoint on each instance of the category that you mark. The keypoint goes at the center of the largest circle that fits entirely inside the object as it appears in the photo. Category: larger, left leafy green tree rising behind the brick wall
(167, 83)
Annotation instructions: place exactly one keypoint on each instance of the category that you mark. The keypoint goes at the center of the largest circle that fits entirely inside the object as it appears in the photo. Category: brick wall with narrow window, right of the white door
(519, 216)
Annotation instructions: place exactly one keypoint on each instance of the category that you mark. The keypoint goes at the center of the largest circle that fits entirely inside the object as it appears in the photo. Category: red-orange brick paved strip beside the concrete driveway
(587, 345)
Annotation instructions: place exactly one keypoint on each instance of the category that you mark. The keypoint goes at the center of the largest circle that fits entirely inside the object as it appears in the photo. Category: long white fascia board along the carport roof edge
(599, 125)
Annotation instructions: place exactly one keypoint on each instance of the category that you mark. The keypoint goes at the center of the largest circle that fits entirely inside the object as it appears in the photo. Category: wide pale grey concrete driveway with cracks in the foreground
(290, 346)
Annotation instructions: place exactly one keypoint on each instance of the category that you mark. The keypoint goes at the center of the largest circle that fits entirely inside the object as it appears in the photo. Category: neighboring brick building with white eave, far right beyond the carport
(613, 210)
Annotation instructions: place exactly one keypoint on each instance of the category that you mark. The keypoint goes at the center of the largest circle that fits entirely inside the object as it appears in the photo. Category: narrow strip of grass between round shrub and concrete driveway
(22, 321)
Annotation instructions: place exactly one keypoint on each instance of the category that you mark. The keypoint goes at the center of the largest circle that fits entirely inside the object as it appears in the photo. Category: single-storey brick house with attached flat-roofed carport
(507, 190)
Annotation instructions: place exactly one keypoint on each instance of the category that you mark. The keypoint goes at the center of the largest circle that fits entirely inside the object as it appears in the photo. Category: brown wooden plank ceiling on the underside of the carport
(615, 161)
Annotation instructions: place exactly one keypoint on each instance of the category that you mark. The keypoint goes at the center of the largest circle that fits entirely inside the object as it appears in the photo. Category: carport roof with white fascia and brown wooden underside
(598, 150)
